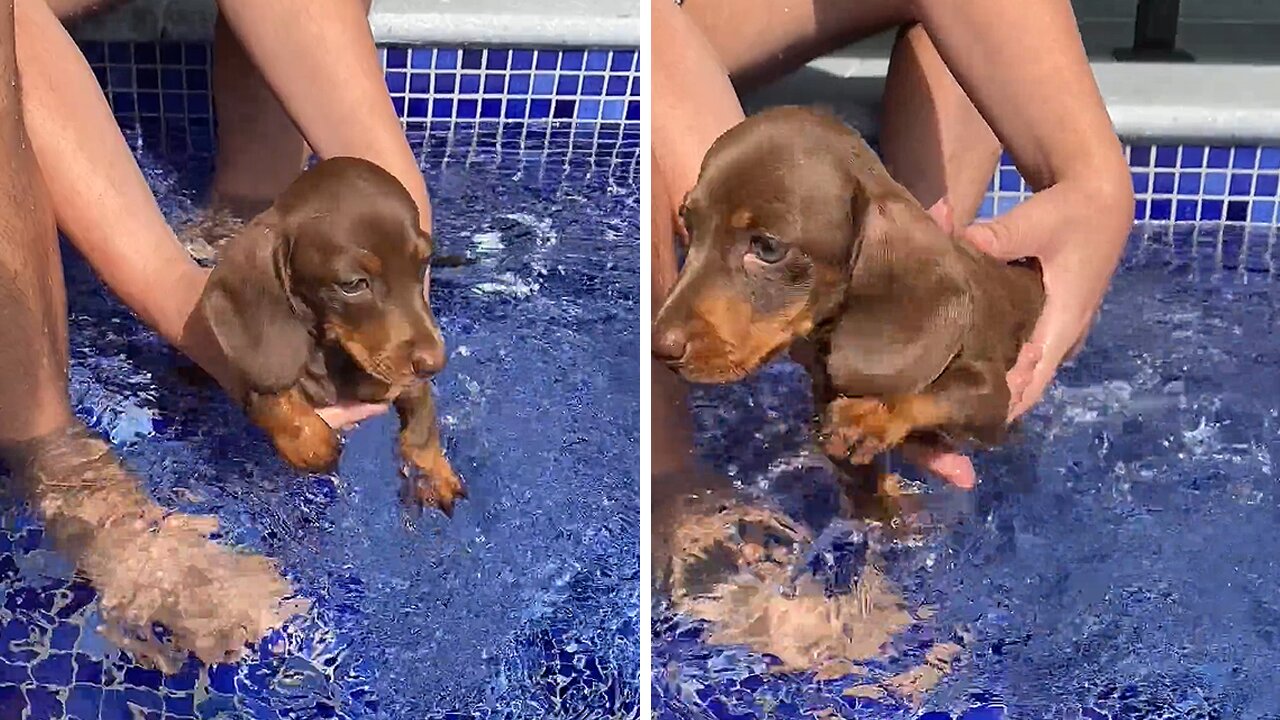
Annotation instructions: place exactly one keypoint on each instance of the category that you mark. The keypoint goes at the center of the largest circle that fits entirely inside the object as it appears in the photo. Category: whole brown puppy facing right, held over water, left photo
(321, 300)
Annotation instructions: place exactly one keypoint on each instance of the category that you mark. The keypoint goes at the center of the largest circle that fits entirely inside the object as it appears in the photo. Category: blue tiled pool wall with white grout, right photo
(1181, 184)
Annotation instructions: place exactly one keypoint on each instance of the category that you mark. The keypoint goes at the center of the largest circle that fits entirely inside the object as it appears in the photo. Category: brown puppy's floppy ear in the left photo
(248, 304)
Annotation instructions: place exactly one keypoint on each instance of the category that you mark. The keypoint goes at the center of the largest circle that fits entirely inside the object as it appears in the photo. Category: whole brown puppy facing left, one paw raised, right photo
(798, 234)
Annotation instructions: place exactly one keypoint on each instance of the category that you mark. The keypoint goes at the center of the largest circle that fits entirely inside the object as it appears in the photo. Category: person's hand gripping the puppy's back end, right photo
(1078, 235)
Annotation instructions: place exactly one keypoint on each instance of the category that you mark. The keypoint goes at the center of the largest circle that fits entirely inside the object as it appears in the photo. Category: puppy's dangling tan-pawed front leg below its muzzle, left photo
(432, 481)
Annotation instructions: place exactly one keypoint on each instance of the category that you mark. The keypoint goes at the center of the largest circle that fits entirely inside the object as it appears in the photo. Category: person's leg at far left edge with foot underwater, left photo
(148, 564)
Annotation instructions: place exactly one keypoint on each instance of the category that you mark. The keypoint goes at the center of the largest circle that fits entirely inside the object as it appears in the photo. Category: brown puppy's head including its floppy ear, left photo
(340, 258)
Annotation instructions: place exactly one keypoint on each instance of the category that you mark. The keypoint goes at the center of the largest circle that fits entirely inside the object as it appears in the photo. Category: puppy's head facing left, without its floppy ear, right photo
(775, 226)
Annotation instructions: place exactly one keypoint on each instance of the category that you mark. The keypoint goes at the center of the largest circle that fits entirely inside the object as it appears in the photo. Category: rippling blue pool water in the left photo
(524, 605)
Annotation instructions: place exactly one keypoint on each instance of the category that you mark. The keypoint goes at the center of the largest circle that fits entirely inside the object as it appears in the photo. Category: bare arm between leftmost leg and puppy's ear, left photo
(99, 197)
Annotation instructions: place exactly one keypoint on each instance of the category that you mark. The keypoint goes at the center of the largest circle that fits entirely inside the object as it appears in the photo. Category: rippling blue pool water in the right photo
(1119, 560)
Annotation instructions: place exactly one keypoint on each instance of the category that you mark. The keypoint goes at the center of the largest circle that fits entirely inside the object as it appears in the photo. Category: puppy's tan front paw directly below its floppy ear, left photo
(299, 434)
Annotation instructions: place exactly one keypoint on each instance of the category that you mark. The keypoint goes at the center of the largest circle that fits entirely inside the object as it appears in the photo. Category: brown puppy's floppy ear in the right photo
(908, 304)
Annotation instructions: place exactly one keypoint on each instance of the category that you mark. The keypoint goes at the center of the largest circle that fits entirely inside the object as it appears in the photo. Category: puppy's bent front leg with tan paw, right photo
(970, 397)
